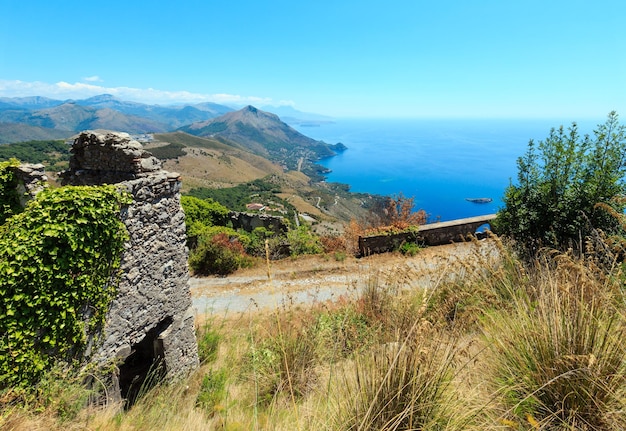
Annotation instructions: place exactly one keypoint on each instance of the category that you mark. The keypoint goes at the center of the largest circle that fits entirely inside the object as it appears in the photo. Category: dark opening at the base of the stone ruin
(145, 366)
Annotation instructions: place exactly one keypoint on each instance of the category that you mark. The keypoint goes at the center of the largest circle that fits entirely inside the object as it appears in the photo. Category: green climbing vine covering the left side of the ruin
(58, 261)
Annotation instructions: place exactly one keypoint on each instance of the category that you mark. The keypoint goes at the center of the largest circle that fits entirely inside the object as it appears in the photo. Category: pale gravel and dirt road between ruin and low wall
(311, 279)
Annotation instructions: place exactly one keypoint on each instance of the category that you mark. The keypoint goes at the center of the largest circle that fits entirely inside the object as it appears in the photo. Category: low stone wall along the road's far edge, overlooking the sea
(430, 234)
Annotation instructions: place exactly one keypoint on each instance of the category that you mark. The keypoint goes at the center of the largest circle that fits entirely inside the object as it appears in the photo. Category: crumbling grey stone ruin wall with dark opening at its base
(150, 322)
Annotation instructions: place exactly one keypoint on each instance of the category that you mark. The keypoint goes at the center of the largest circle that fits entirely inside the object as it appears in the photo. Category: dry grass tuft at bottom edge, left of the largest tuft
(400, 386)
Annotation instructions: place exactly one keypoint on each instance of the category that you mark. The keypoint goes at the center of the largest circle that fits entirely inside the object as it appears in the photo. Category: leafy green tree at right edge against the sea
(566, 183)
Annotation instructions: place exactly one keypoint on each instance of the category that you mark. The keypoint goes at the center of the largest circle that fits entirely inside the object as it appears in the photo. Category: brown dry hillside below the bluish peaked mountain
(215, 163)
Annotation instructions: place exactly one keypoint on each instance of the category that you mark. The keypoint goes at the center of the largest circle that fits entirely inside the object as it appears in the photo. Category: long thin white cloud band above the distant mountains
(80, 90)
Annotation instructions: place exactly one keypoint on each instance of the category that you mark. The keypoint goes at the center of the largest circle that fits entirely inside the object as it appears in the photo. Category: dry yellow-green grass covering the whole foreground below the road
(491, 345)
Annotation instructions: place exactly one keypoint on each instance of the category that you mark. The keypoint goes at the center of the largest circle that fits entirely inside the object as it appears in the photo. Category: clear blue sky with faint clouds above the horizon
(342, 58)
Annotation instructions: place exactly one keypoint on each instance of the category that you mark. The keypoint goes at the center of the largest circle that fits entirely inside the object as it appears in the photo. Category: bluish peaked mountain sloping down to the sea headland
(265, 134)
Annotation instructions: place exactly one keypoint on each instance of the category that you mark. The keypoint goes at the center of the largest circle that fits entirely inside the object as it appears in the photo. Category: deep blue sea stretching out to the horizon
(440, 163)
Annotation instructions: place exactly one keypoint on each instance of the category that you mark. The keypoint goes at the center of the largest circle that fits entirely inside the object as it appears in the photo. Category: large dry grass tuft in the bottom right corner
(557, 358)
